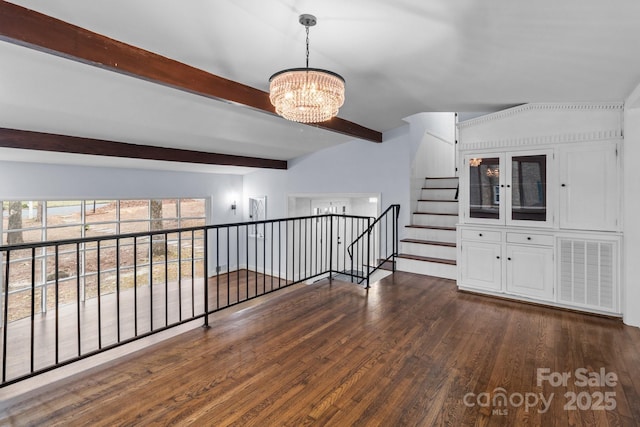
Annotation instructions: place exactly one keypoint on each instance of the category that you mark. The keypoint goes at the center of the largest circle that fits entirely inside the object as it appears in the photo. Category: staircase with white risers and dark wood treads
(430, 245)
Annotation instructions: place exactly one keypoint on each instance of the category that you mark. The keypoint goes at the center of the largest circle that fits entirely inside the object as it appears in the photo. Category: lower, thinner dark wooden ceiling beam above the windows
(30, 140)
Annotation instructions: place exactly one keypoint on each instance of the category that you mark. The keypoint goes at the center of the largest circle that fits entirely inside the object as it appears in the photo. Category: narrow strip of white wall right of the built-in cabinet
(631, 207)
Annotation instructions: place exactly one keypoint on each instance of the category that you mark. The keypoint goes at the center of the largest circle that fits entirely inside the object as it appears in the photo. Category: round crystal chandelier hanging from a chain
(306, 95)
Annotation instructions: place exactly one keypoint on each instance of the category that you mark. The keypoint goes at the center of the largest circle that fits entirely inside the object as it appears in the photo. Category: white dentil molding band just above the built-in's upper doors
(613, 134)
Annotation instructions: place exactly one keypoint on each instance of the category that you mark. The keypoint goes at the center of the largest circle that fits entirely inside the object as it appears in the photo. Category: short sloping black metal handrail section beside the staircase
(376, 246)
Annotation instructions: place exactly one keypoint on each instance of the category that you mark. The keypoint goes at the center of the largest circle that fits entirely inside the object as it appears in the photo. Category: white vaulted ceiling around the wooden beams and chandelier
(398, 58)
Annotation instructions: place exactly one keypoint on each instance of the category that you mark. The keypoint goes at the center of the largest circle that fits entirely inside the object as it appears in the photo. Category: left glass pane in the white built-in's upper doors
(484, 188)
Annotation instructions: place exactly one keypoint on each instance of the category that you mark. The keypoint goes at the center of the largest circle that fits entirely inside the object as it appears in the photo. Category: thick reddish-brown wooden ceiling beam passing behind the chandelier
(25, 27)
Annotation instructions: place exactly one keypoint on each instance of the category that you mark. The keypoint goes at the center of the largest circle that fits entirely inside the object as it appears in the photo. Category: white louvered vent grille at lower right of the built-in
(587, 273)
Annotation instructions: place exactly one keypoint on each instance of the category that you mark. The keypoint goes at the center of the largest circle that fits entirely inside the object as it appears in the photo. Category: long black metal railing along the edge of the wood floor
(66, 300)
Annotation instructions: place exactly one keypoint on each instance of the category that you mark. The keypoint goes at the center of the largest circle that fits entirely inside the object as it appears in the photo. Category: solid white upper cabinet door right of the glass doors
(589, 186)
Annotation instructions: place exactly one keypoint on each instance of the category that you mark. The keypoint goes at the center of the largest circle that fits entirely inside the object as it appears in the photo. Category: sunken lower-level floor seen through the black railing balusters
(171, 304)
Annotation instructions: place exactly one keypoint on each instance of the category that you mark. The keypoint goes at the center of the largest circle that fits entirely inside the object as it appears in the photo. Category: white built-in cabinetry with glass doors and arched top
(540, 205)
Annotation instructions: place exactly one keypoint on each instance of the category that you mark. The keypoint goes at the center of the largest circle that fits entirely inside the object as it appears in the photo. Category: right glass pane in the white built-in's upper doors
(529, 188)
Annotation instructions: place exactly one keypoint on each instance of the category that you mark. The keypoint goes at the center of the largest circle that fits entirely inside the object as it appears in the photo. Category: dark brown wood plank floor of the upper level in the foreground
(410, 351)
